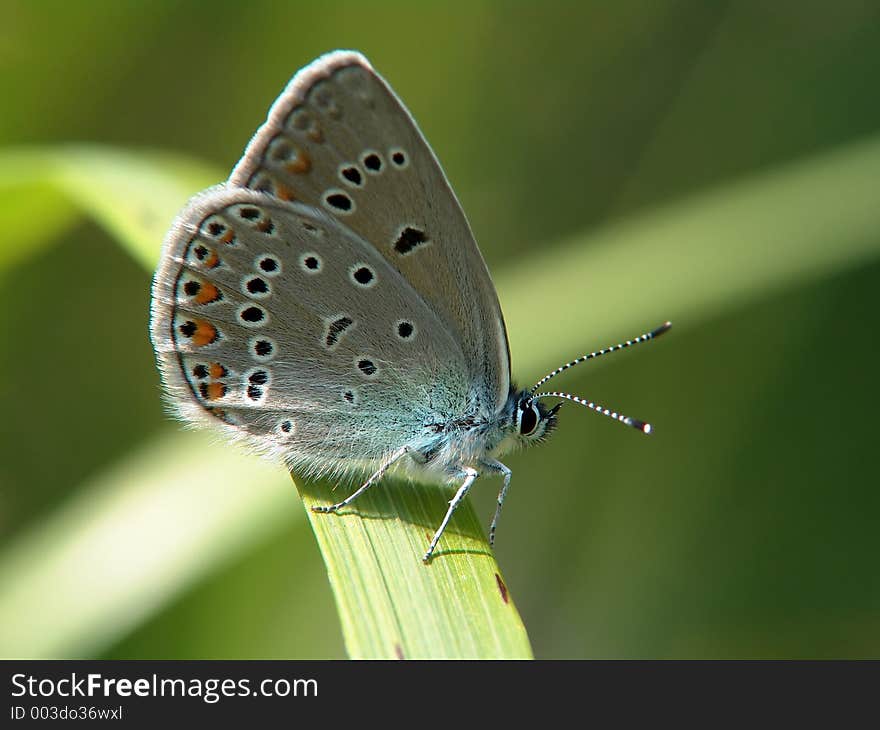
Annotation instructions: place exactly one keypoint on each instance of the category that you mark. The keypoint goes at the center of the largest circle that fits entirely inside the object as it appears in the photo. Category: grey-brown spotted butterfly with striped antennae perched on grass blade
(329, 307)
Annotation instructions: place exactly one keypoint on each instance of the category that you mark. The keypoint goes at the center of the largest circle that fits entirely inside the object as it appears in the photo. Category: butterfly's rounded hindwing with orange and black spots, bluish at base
(274, 320)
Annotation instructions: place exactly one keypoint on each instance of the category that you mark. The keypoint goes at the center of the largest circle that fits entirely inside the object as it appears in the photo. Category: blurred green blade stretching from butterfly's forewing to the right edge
(694, 259)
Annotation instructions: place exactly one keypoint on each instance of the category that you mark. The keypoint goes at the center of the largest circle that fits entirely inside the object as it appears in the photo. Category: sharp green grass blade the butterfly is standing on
(390, 603)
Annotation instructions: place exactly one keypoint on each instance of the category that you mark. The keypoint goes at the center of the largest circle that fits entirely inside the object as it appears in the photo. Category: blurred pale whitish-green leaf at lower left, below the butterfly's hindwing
(130, 540)
